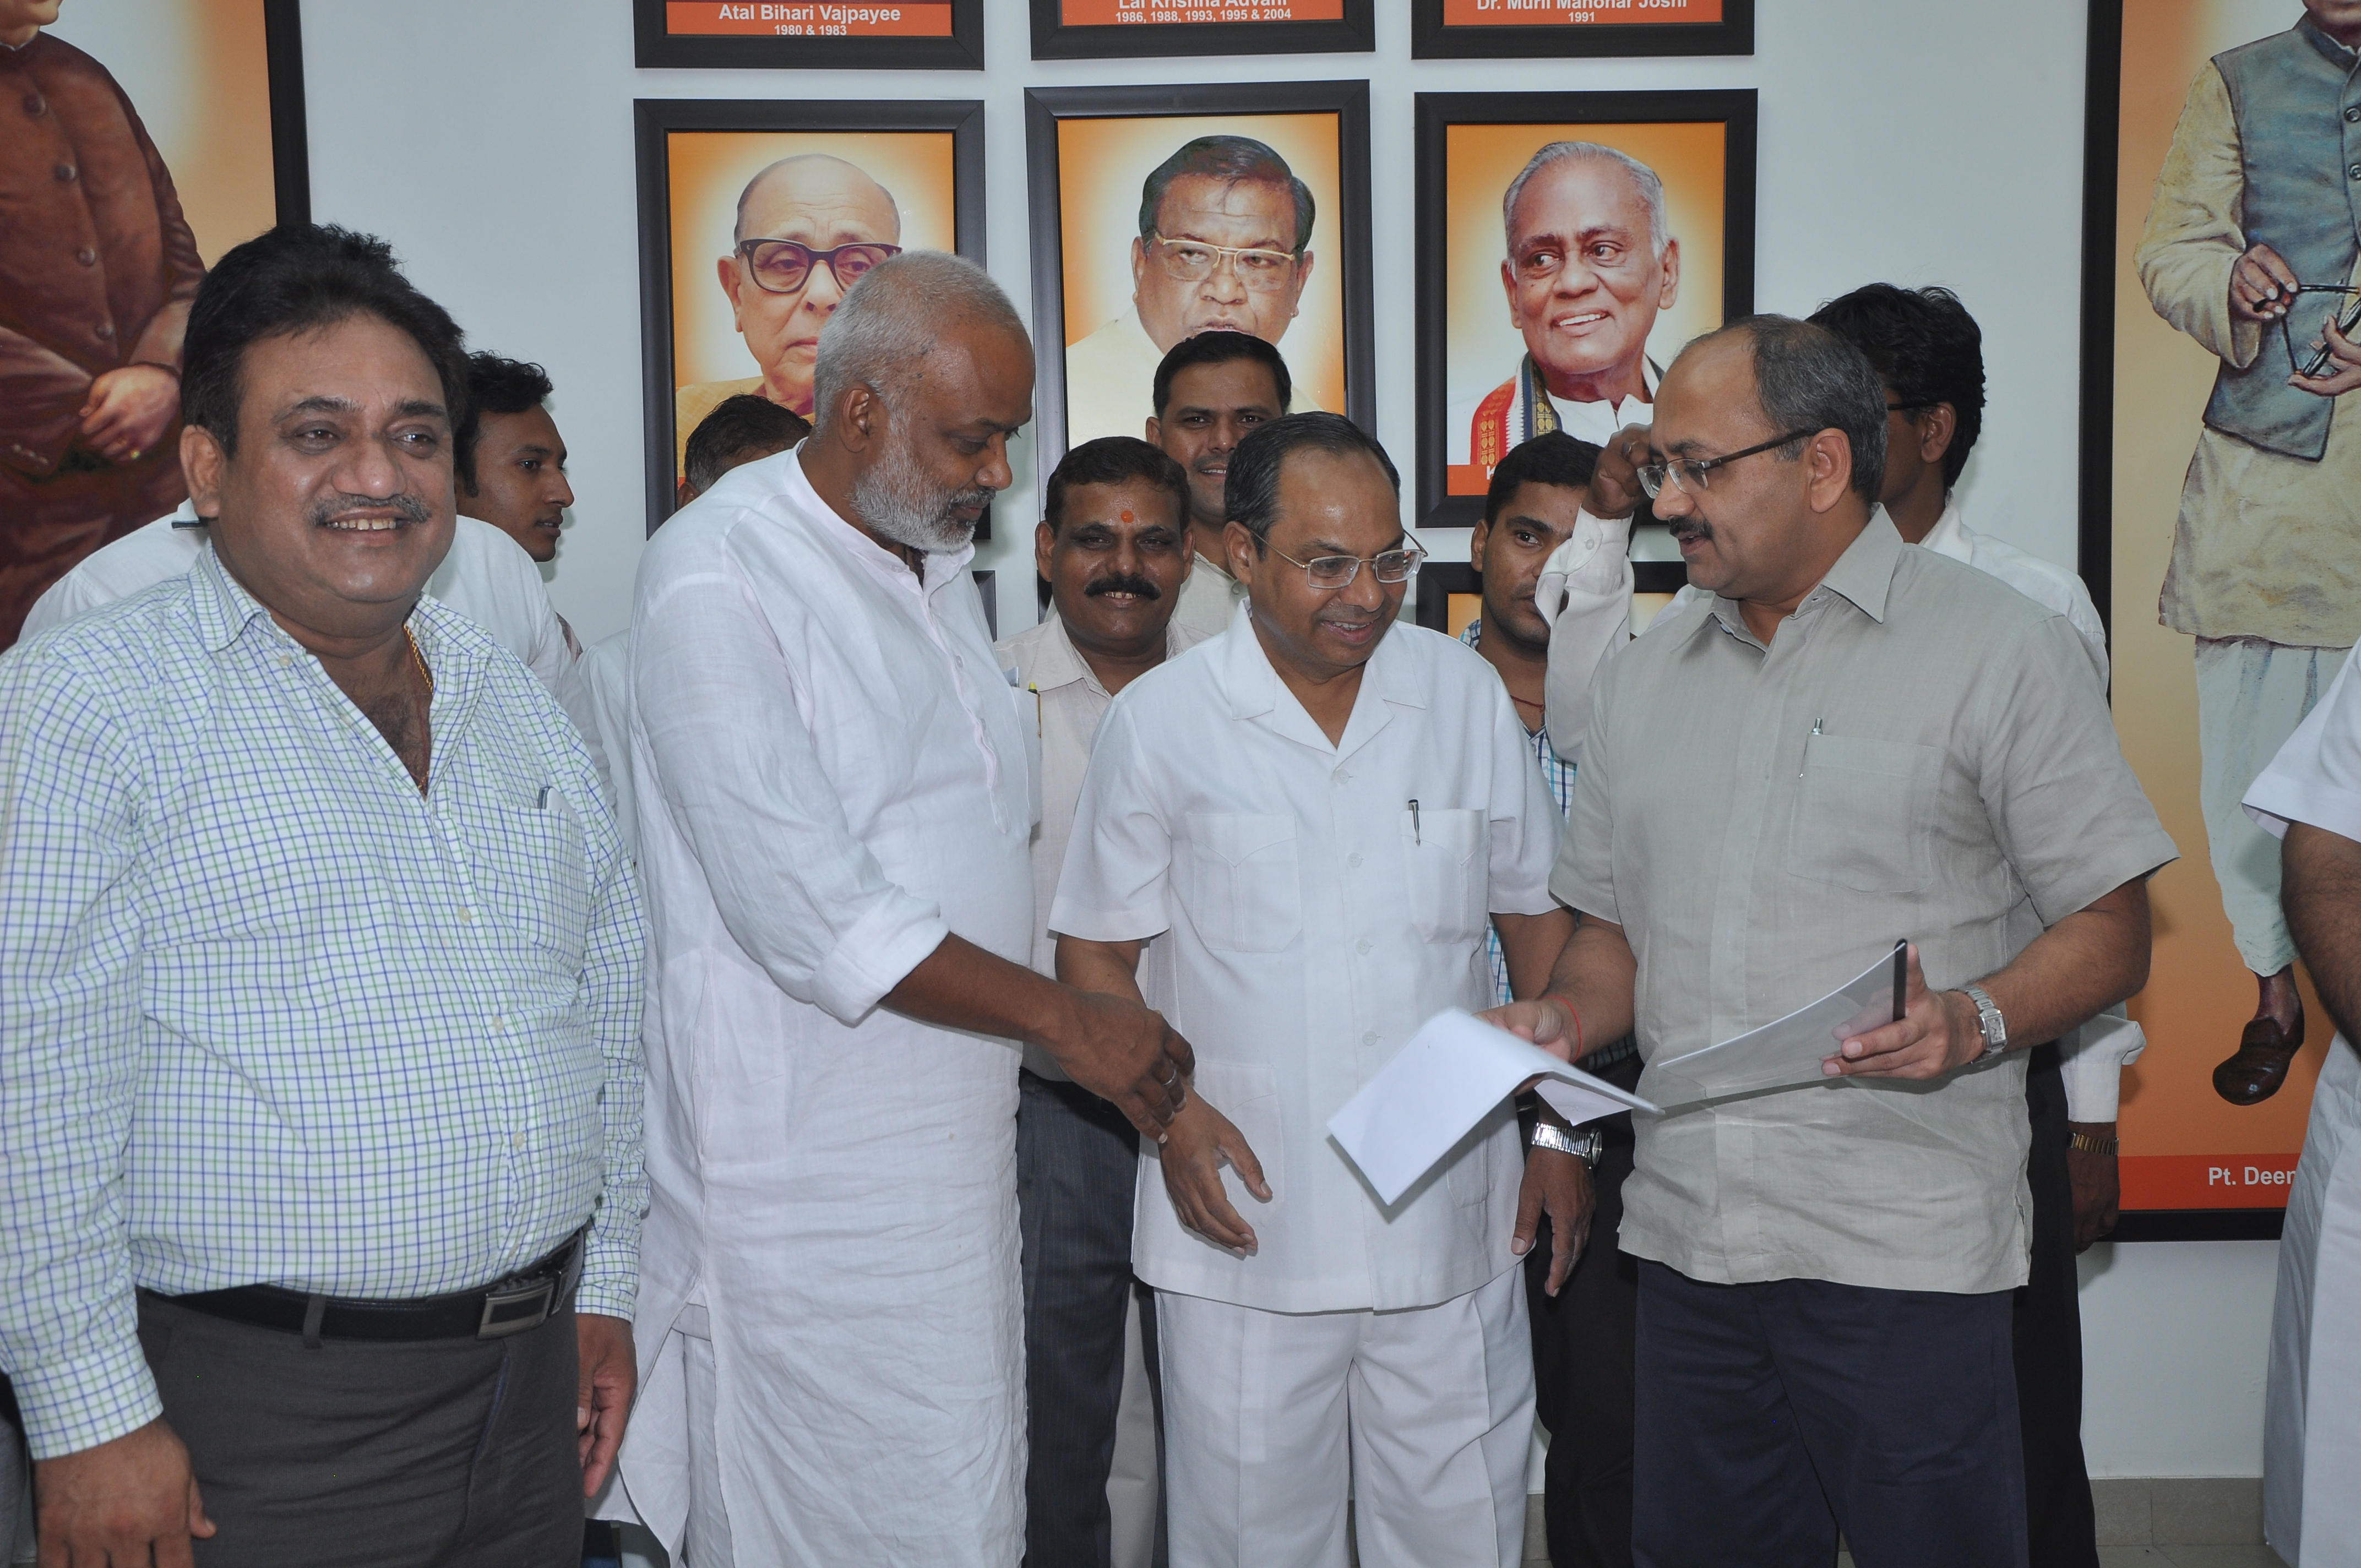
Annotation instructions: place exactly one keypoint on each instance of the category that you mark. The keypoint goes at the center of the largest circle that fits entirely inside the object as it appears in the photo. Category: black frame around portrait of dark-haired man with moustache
(1049, 107)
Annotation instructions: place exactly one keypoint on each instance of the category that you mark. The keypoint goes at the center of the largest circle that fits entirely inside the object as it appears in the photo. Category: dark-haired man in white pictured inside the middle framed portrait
(1224, 247)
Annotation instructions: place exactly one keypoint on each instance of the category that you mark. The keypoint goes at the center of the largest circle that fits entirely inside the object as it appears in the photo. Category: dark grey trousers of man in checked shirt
(450, 1453)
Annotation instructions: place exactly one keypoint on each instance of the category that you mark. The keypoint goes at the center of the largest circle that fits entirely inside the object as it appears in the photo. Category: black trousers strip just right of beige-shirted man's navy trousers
(2060, 1524)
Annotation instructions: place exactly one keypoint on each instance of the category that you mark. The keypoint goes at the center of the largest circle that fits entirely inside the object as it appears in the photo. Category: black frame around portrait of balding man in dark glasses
(658, 119)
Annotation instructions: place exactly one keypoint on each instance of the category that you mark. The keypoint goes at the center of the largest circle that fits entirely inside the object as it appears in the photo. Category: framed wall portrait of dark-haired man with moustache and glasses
(1160, 214)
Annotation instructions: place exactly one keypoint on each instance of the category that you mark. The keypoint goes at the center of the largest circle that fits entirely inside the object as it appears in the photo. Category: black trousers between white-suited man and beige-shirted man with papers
(1583, 1368)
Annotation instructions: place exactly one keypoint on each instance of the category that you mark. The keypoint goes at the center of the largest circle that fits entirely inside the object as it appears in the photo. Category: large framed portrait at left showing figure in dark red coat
(145, 138)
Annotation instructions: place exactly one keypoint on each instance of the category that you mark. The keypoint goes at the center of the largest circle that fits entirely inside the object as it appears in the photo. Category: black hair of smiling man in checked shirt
(296, 280)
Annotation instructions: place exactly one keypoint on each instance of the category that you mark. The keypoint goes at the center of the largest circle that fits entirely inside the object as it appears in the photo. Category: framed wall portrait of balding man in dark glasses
(754, 223)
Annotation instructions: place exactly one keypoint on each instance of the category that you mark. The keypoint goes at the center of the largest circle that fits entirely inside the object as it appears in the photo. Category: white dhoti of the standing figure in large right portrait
(2251, 698)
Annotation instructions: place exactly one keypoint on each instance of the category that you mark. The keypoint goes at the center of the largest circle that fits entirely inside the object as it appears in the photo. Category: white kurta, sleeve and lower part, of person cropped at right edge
(2313, 1406)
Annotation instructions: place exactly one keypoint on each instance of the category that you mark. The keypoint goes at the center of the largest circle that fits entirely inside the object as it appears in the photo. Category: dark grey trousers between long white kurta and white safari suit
(1078, 1163)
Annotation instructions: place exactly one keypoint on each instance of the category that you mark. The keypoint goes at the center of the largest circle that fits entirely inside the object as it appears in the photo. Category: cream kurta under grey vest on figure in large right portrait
(2268, 547)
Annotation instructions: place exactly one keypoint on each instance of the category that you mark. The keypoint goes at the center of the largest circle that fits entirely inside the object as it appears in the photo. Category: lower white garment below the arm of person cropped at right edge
(2313, 1406)
